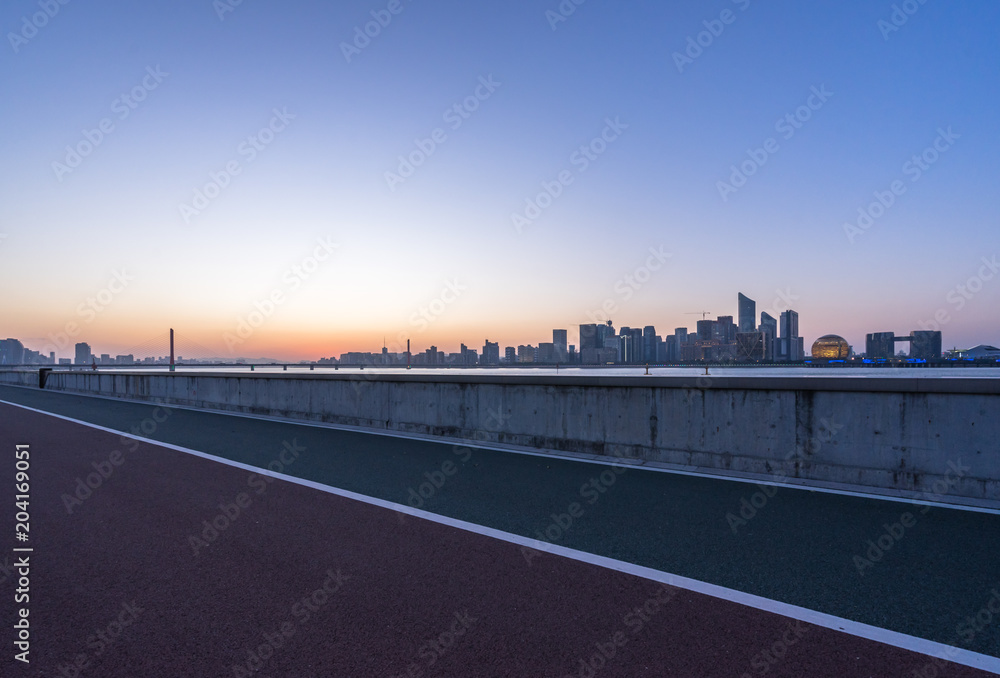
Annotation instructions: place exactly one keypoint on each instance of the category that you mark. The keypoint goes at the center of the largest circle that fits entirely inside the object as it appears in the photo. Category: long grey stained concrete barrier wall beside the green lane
(910, 435)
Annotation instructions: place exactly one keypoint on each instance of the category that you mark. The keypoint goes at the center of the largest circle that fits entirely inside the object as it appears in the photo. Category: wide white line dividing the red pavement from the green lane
(866, 631)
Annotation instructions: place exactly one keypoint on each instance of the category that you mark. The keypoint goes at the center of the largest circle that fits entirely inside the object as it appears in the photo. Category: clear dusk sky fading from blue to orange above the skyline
(779, 238)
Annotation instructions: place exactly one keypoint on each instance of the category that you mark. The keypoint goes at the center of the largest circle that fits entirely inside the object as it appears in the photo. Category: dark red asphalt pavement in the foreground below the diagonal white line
(303, 583)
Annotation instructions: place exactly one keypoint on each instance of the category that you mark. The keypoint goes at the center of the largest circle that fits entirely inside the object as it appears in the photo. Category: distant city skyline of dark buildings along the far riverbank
(722, 340)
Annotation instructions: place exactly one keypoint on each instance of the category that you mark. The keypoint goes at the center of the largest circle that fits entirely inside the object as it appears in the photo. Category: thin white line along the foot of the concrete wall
(556, 454)
